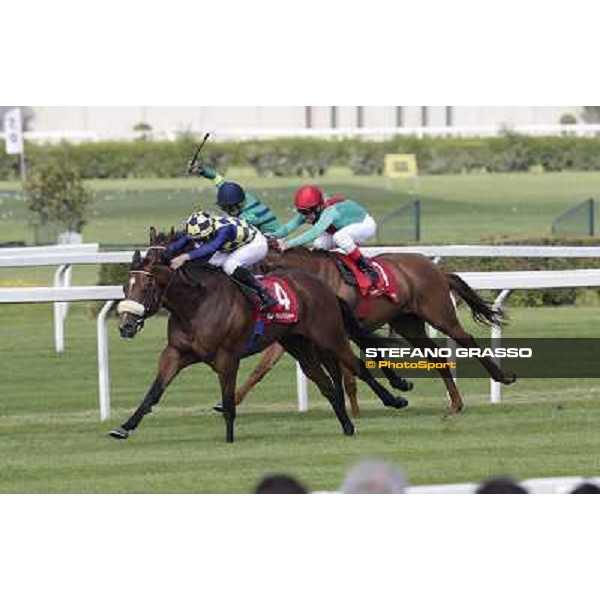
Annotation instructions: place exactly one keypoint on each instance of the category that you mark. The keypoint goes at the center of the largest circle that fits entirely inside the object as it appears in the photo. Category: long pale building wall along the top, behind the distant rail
(119, 121)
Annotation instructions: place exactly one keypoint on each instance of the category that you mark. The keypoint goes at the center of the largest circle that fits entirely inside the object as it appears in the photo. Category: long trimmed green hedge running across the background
(313, 157)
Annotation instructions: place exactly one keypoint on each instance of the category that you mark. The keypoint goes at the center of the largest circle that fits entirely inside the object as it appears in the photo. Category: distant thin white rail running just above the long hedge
(77, 136)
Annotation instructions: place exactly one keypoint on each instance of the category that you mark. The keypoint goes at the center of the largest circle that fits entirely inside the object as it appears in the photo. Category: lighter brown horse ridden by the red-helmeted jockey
(425, 297)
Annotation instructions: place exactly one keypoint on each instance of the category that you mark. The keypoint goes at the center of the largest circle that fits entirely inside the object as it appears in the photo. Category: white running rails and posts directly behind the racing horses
(65, 257)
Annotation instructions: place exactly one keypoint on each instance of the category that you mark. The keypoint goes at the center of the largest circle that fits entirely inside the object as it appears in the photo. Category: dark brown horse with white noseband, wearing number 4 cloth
(212, 321)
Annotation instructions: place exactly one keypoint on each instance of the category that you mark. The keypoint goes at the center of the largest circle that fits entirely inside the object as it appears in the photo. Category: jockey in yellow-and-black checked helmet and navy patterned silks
(227, 242)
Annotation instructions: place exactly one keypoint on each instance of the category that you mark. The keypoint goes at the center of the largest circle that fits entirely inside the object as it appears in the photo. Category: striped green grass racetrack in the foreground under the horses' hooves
(51, 440)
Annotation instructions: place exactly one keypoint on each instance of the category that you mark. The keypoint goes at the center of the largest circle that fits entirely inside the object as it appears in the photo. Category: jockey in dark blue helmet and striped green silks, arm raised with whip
(234, 201)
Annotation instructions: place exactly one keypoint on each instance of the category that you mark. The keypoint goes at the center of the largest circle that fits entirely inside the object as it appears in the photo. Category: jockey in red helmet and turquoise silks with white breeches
(336, 222)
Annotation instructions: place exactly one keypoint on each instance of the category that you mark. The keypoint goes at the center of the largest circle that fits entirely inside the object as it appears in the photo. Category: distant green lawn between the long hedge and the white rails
(456, 208)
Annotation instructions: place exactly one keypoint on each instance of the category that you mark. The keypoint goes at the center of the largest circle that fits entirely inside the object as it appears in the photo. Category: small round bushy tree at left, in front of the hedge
(56, 194)
